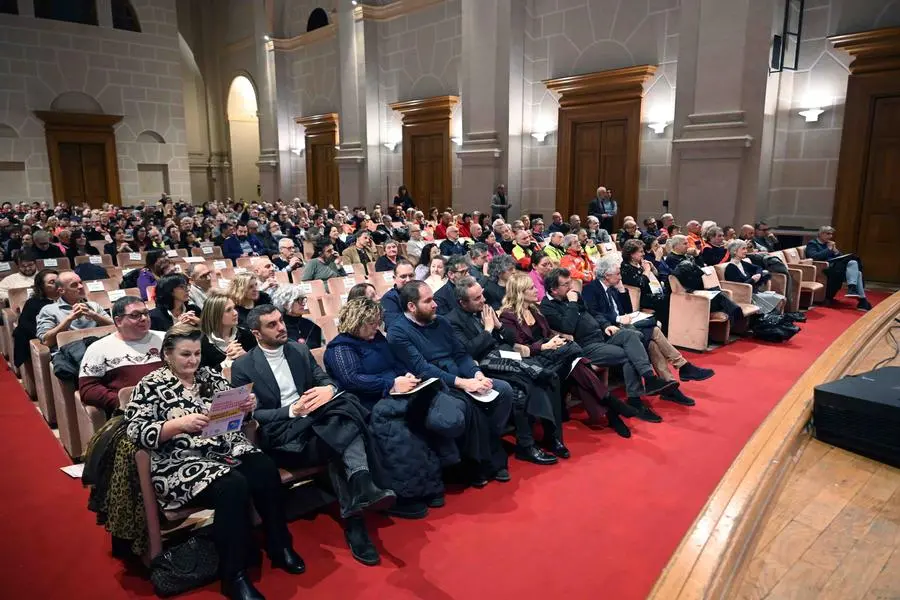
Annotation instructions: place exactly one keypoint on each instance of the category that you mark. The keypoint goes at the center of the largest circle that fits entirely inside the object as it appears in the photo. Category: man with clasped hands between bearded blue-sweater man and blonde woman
(478, 329)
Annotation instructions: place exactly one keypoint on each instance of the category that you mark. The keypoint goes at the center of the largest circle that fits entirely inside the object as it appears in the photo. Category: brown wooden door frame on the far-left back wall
(81, 128)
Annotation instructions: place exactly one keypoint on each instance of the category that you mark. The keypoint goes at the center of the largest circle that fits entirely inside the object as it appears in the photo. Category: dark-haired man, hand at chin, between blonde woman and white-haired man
(604, 343)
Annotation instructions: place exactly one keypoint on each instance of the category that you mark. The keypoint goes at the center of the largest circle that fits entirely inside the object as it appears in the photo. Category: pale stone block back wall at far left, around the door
(137, 75)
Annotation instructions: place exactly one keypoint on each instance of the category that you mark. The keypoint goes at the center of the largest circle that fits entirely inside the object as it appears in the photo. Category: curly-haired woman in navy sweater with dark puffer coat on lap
(414, 424)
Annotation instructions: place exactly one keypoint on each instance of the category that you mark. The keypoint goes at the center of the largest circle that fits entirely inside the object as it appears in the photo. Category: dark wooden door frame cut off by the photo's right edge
(874, 73)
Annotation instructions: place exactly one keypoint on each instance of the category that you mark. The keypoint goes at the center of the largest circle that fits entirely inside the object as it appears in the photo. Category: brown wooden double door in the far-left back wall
(84, 177)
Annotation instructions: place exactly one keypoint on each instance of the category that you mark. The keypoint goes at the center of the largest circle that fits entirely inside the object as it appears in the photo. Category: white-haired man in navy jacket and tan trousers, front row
(607, 299)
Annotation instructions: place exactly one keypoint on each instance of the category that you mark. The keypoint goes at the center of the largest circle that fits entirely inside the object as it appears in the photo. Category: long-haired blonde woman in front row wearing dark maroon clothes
(519, 313)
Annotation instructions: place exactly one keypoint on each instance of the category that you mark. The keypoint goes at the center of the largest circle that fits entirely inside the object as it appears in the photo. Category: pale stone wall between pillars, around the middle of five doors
(418, 57)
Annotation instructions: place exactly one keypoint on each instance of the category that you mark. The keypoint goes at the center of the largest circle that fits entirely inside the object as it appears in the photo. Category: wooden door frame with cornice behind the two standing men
(606, 96)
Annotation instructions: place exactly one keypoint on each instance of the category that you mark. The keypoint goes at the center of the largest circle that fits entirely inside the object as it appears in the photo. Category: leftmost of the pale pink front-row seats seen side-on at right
(691, 322)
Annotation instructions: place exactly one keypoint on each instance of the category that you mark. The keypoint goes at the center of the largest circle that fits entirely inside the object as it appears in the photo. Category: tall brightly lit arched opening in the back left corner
(242, 106)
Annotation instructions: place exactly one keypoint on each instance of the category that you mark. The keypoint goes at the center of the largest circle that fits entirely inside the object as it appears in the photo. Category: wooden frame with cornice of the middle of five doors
(430, 116)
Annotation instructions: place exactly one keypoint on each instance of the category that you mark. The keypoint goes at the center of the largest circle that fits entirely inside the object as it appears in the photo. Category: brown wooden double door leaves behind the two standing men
(598, 158)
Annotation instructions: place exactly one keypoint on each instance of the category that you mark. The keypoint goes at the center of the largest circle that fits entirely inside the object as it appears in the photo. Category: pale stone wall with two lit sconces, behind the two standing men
(576, 37)
